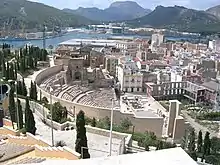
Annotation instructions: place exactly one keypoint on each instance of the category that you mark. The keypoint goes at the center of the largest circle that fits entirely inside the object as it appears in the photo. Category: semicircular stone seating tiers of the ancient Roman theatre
(81, 94)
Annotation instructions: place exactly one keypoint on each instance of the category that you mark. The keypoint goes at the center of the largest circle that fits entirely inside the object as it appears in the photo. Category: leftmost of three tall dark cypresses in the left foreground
(11, 107)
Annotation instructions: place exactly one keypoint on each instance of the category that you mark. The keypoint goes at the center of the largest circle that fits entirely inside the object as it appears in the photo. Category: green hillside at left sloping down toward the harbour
(21, 13)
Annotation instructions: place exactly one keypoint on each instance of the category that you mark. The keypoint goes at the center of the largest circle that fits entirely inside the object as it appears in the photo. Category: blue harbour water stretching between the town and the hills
(68, 36)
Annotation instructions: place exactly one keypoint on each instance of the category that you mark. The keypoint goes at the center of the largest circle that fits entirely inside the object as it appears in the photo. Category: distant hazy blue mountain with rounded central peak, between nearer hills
(117, 11)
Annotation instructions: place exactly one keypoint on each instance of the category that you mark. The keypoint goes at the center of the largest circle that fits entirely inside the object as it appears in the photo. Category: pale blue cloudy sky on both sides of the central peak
(150, 4)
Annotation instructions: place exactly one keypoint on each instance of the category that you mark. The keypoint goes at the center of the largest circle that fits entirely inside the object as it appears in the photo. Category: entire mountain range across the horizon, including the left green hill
(23, 14)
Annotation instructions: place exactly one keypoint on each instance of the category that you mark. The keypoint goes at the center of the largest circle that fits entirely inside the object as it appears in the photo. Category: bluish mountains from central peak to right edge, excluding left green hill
(175, 17)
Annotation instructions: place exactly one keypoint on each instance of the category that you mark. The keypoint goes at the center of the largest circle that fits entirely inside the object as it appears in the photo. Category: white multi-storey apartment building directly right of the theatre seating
(129, 76)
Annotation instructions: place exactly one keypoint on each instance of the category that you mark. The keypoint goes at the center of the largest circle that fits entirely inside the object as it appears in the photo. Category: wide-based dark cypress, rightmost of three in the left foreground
(29, 119)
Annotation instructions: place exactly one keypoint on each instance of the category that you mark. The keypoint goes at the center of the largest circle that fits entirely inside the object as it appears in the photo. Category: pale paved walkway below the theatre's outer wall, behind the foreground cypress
(98, 145)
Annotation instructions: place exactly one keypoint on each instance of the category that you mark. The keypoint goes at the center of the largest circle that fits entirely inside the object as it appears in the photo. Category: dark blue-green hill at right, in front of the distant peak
(179, 18)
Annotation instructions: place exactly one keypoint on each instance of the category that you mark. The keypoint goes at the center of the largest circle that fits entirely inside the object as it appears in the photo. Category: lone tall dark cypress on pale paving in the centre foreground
(81, 139)
